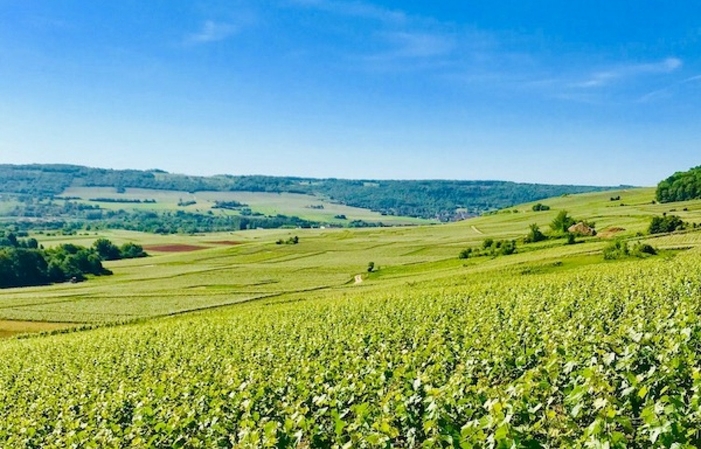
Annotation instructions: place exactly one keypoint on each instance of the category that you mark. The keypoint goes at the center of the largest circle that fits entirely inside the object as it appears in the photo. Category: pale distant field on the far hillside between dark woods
(290, 204)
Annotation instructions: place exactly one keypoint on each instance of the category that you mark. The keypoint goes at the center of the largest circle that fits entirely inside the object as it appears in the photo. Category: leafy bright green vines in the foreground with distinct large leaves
(604, 357)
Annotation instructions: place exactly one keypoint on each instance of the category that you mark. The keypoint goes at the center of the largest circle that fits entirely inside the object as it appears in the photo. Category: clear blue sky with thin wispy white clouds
(567, 92)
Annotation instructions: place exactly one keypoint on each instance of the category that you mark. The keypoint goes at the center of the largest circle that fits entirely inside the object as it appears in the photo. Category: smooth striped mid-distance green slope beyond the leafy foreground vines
(231, 268)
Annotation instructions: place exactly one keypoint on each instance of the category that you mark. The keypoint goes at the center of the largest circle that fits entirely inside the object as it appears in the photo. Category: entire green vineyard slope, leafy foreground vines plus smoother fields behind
(241, 342)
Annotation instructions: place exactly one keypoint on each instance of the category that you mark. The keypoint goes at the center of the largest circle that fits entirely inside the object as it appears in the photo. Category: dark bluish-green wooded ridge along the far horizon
(444, 200)
